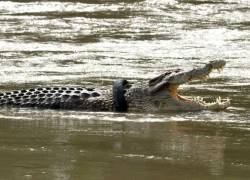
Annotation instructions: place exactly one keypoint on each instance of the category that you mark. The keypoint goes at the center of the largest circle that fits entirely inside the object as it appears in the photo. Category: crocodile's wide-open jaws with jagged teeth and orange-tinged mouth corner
(172, 79)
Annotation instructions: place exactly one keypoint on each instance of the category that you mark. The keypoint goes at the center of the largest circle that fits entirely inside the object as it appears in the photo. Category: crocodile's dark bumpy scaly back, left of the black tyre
(57, 97)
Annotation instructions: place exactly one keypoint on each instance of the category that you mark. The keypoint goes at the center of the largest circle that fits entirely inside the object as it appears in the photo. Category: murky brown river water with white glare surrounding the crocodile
(92, 43)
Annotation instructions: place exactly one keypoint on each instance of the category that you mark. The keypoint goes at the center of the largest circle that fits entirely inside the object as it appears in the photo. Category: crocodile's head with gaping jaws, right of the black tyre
(161, 93)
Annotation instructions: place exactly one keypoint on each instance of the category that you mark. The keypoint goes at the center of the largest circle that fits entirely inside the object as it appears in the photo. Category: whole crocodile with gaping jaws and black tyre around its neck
(158, 94)
